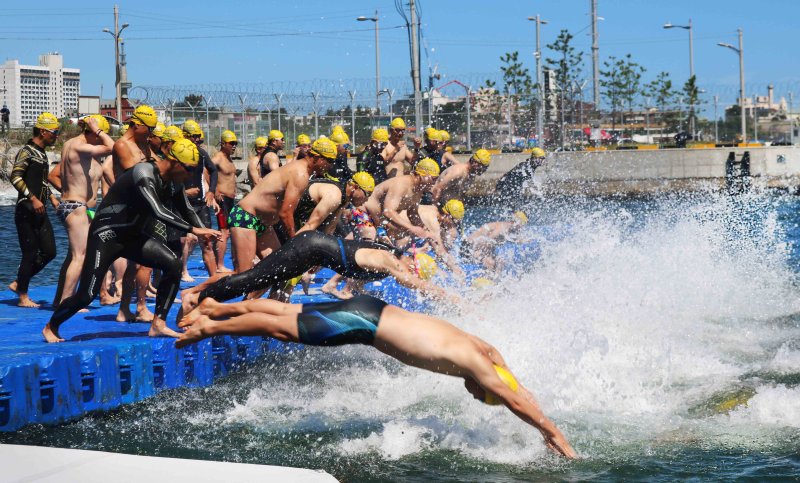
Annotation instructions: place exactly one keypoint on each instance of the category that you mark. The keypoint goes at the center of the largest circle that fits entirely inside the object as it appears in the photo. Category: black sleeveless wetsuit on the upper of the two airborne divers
(301, 253)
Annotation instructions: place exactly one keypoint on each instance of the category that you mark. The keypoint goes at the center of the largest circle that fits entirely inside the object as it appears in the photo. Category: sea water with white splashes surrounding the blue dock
(662, 335)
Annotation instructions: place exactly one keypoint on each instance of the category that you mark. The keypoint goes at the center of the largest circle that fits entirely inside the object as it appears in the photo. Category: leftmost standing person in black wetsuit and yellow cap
(29, 176)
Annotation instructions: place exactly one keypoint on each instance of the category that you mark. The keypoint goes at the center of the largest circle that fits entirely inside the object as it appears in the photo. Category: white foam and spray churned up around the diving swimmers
(619, 328)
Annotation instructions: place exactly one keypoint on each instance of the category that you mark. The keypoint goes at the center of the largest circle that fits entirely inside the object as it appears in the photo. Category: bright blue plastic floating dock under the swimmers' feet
(104, 363)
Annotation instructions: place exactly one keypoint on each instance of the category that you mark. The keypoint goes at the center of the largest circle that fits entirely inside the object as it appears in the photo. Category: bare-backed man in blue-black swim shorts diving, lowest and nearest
(414, 339)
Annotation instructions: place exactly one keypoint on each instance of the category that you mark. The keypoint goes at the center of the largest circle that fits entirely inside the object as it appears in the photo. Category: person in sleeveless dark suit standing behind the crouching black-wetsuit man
(200, 199)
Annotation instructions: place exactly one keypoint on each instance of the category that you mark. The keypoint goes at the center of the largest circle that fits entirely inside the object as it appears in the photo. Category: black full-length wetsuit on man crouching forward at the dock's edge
(119, 230)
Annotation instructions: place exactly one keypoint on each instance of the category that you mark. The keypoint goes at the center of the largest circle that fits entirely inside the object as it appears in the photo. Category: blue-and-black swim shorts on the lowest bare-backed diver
(353, 321)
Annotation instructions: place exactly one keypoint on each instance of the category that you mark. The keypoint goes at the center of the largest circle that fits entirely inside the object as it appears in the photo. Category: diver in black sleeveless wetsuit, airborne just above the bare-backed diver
(361, 260)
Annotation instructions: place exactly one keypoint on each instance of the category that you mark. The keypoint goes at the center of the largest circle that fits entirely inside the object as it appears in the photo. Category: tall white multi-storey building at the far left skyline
(29, 90)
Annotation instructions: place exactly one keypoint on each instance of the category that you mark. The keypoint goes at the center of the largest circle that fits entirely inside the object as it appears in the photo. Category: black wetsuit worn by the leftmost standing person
(36, 240)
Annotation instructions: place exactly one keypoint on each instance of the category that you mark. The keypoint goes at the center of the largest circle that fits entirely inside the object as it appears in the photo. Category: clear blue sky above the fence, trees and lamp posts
(233, 42)
